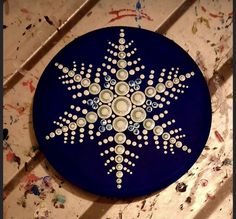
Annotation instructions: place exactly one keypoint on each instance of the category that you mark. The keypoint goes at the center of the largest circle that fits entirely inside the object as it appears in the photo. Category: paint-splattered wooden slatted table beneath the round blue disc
(34, 31)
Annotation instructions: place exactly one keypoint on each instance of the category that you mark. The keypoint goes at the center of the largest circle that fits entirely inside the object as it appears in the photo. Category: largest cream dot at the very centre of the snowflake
(121, 106)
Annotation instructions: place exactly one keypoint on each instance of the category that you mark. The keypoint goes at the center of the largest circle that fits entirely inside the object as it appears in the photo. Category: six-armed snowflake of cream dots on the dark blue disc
(118, 105)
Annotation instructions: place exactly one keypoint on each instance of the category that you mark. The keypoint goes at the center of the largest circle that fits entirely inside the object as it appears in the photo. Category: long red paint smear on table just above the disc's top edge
(128, 13)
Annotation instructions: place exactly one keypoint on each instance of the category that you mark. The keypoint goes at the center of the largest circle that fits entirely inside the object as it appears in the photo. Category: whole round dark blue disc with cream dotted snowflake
(124, 115)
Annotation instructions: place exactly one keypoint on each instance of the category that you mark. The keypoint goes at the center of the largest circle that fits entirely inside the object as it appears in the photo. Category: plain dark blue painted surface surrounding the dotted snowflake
(81, 163)
